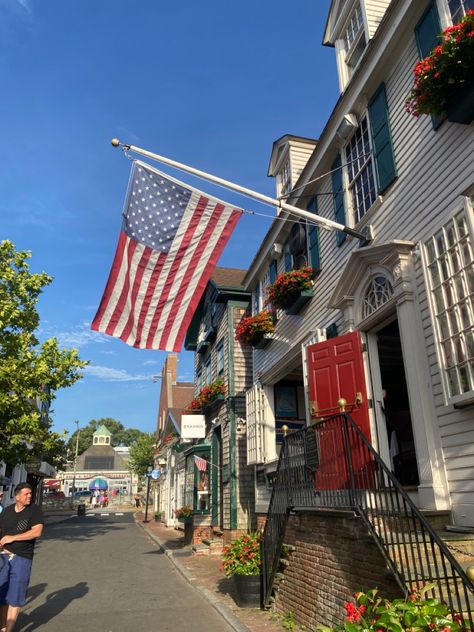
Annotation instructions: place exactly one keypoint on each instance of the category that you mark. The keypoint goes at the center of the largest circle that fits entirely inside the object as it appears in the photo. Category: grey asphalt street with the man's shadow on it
(102, 573)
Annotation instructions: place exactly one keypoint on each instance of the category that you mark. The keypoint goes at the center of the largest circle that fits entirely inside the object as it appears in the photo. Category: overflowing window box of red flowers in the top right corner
(442, 75)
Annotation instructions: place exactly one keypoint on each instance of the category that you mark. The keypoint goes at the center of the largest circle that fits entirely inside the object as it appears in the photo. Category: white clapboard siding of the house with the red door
(434, 169)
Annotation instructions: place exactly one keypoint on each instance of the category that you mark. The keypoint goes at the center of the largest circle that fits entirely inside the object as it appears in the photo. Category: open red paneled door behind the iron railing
(335, 371)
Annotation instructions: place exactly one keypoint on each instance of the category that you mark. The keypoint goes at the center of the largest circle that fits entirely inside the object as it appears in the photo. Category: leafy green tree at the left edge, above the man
(30, 372)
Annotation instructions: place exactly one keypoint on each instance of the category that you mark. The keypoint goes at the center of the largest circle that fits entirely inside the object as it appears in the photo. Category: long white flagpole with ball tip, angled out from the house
(294, 210)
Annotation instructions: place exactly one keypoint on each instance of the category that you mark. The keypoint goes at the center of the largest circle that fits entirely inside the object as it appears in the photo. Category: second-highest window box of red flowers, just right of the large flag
(292, 290)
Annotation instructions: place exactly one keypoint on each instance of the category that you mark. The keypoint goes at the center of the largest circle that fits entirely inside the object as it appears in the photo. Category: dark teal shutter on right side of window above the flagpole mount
(381, 140)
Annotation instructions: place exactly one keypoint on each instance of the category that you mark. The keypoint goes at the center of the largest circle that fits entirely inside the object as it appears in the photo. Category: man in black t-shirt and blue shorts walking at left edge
(20, 525)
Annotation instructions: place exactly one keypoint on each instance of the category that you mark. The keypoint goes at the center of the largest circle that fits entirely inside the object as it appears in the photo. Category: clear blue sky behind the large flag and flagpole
(209, 84)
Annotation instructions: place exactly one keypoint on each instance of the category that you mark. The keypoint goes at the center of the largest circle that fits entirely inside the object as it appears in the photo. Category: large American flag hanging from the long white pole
(171, 239)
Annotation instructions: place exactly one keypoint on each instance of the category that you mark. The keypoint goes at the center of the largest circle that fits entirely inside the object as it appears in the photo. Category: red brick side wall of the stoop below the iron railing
(334, 557)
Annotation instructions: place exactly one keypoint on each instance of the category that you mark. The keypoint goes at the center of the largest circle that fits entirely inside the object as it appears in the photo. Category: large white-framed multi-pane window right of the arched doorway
(450, 267)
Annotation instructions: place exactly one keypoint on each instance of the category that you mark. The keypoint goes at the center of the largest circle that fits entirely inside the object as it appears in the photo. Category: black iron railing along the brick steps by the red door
(332, 465)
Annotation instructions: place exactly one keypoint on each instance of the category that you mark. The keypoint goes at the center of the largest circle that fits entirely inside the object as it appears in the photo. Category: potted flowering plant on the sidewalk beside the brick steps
(242, 561)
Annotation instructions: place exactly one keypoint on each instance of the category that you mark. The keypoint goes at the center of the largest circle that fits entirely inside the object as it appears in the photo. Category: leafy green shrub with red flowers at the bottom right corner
(371, 613)
